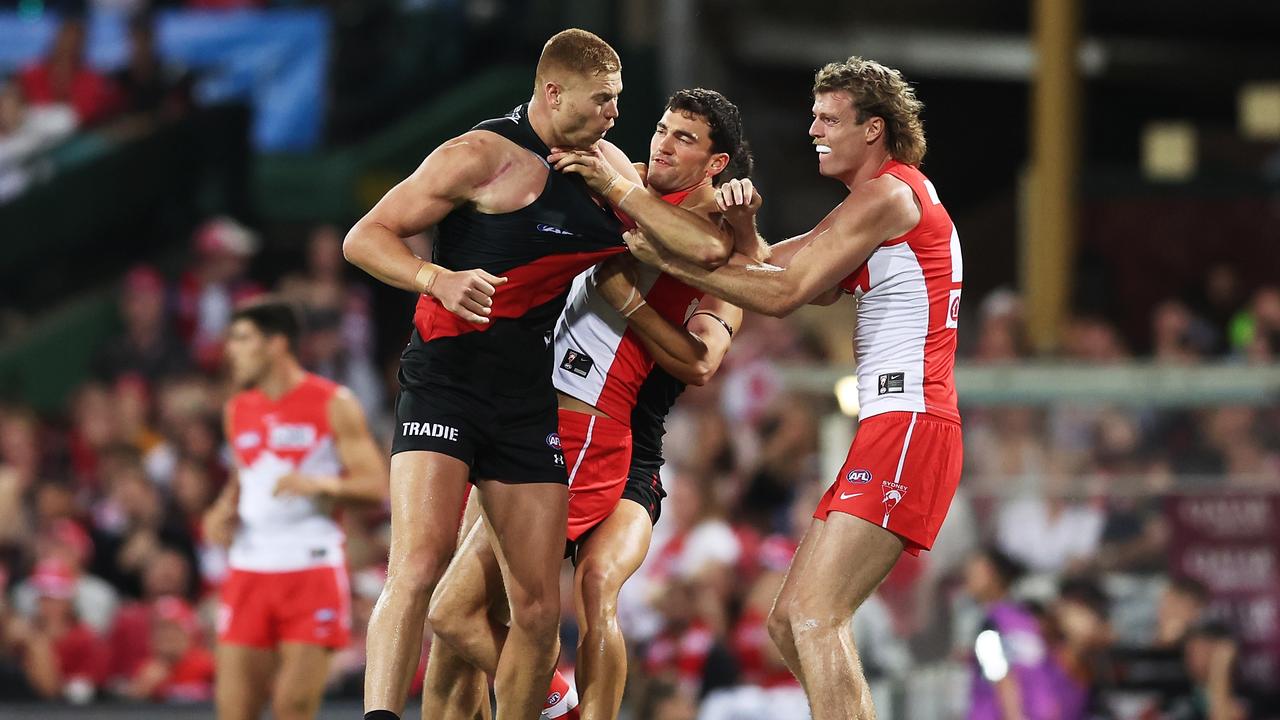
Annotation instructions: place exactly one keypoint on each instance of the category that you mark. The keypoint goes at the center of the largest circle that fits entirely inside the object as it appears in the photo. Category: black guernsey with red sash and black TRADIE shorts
(483, 393)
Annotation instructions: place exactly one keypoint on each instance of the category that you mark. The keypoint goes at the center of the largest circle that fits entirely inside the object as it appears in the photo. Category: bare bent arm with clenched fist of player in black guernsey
(447, 179)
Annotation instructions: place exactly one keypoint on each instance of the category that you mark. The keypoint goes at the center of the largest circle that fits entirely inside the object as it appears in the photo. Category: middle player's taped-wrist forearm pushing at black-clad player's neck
(684, 233)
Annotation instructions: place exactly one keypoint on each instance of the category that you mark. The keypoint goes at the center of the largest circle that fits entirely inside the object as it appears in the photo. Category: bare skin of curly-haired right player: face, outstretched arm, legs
(822, 590)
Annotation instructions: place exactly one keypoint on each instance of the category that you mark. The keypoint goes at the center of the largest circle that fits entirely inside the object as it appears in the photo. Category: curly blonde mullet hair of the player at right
(881, 93)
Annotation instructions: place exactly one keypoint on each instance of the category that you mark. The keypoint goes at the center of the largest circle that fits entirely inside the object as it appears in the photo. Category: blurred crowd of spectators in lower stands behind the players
(1058, 546)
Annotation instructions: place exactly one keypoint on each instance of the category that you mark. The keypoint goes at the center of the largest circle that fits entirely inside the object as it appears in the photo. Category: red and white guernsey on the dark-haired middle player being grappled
(600, 359)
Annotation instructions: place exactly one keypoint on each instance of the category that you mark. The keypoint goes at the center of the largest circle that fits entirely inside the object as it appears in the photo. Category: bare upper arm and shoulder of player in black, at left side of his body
(446, 180)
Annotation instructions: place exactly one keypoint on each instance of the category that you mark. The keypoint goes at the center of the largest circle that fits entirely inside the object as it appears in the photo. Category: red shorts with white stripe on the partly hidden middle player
(598, 454)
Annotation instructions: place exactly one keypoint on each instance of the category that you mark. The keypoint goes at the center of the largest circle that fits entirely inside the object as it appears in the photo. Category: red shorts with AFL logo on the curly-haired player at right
(902, 473)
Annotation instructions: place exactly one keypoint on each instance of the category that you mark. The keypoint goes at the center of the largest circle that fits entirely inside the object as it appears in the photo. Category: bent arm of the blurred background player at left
(367, 477)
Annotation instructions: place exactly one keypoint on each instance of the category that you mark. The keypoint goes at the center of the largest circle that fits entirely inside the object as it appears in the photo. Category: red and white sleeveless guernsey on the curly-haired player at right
(908, 309)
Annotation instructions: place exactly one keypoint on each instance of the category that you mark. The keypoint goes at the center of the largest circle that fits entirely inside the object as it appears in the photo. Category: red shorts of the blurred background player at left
(303, 607)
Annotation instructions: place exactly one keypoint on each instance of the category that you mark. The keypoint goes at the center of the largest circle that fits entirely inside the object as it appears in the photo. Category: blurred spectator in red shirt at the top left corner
(63, 78)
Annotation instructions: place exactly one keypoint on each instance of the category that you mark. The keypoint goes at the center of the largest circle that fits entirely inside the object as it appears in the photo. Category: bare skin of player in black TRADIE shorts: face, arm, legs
(428, 489)
